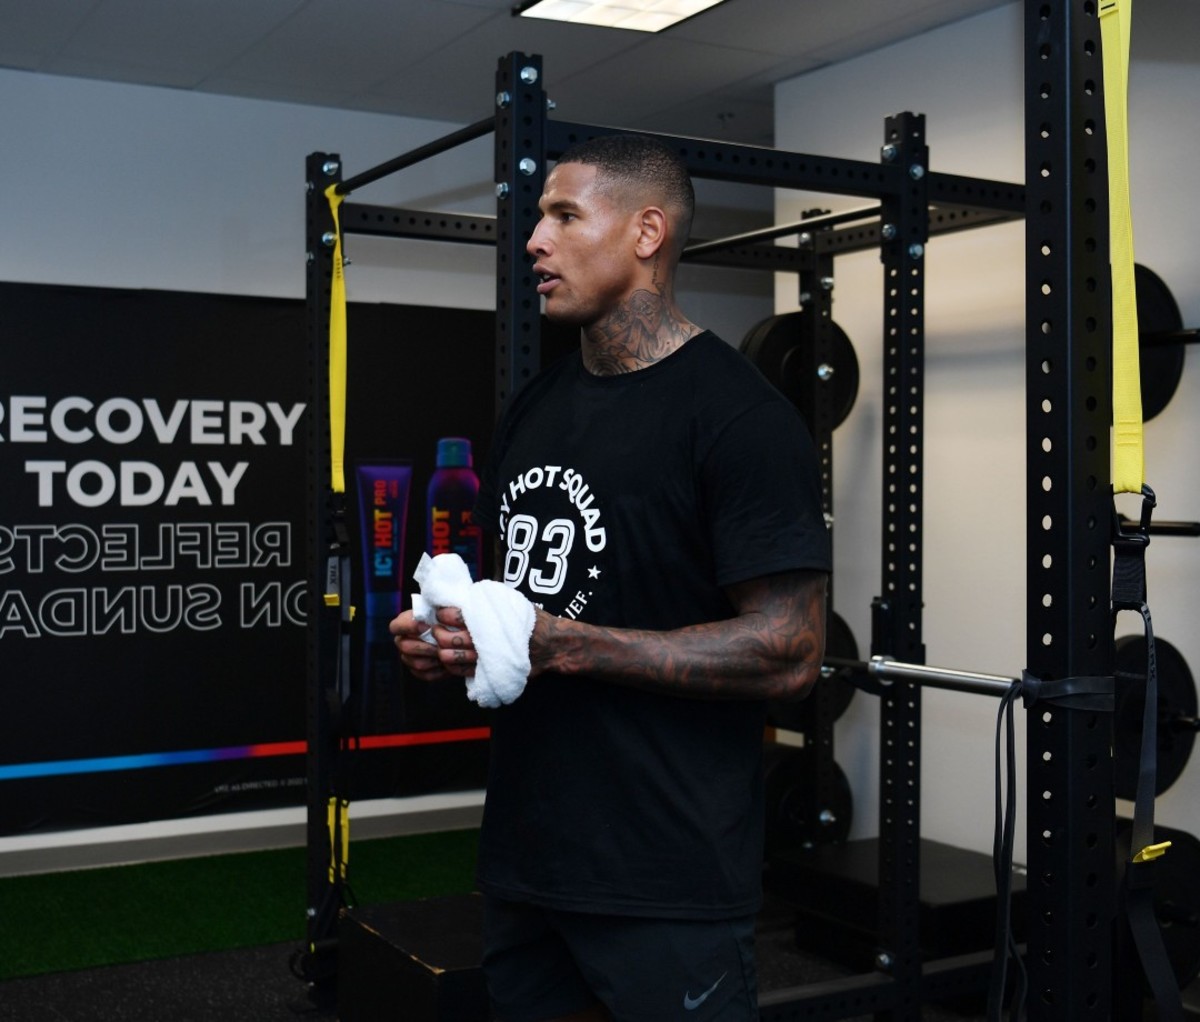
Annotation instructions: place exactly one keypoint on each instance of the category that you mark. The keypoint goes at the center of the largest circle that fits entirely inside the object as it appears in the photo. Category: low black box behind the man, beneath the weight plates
(835, 891)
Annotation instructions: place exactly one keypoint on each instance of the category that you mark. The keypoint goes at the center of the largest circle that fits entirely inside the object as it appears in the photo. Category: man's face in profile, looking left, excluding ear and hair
(584, 247)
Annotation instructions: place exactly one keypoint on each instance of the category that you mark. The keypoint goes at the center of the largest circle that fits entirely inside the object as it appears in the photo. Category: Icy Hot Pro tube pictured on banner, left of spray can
(383, 516)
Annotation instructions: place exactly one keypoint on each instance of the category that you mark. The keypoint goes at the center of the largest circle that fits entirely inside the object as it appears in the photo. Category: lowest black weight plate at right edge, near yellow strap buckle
(1177, 881)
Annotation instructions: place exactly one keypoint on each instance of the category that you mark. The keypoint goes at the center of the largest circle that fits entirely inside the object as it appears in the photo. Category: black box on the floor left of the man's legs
(418, 961)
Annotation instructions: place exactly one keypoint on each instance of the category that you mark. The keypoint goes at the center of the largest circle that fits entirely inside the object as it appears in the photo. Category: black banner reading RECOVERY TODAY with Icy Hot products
(152, 550)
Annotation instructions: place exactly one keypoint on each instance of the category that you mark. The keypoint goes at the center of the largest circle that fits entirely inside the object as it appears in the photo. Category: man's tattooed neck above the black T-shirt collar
(641, 332)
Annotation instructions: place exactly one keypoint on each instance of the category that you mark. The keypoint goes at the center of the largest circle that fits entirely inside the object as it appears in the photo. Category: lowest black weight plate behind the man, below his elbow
(788, 780)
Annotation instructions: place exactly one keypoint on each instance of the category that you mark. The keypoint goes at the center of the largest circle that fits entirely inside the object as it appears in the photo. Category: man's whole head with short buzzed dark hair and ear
(615, 218)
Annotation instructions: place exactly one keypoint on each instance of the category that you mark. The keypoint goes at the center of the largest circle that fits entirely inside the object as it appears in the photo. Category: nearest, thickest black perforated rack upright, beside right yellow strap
(1070, 796)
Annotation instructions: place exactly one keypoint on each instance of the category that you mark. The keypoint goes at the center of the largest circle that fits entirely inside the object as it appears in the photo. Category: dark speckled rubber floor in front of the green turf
(256, 985)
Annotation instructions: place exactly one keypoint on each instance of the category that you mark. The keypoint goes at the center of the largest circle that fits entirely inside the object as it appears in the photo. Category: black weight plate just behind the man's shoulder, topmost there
(776, 346)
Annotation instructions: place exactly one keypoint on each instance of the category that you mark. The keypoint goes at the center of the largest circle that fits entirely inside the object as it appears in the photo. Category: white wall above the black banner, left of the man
(112, 185)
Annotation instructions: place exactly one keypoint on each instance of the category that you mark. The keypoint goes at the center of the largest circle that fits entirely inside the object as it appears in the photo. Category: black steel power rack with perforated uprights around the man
(1071, 802)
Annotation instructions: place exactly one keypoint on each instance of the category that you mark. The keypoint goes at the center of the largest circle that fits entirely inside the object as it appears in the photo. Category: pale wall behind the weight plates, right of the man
(968, 80)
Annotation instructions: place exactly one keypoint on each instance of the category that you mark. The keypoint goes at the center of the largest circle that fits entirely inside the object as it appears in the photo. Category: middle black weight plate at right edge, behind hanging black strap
(1177, 714)
